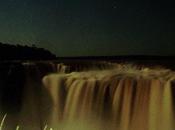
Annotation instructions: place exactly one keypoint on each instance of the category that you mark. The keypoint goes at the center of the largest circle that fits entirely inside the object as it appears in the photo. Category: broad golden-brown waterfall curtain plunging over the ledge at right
(115, 99)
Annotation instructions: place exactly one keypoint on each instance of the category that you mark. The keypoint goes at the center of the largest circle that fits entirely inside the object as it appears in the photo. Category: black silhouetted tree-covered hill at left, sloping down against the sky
(20, 52)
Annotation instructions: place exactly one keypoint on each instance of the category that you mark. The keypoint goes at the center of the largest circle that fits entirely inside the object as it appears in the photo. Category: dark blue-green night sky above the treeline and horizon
(90, 27)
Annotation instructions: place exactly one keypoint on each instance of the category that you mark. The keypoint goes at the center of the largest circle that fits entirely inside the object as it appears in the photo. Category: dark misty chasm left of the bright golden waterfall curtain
(22, 96)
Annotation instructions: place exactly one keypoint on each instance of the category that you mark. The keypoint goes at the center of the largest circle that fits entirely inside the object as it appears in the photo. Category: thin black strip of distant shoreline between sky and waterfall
(143, 60)
